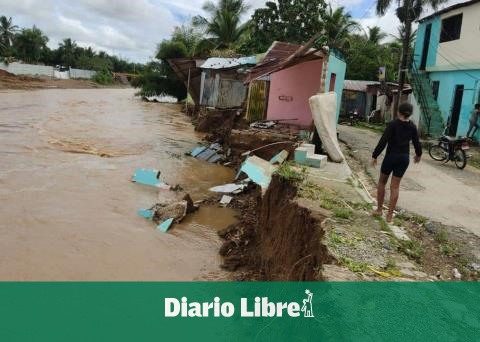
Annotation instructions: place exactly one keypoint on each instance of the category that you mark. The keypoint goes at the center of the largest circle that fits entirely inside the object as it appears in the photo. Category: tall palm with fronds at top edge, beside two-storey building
(407, 12)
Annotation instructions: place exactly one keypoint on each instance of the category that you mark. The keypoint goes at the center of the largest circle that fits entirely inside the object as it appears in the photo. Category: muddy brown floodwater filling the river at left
(67, 206)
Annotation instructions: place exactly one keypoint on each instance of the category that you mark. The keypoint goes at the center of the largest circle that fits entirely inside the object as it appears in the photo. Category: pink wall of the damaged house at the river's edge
(290, 90)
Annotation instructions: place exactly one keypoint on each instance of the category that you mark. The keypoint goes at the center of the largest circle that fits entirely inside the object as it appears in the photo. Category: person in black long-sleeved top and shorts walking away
(396, 138)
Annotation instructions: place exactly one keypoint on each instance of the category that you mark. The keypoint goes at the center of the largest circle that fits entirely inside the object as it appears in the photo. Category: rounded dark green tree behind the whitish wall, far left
(31, 45)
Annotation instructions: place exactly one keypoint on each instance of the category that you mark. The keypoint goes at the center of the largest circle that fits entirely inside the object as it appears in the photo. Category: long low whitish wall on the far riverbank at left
(43, 70)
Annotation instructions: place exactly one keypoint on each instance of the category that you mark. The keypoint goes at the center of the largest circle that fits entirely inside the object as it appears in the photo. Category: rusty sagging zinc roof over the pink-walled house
(284, 55)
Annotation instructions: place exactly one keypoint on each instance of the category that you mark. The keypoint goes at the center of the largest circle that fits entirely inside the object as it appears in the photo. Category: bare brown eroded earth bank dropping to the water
(277, 239)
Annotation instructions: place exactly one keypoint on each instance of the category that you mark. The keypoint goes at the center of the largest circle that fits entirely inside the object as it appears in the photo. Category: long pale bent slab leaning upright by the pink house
(324, 112)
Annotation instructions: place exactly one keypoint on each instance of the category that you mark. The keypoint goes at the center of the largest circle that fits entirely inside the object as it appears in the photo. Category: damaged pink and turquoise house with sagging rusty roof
(280, 86)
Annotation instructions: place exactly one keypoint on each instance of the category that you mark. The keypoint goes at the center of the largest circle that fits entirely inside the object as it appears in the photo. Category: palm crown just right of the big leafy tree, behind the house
(338, 26)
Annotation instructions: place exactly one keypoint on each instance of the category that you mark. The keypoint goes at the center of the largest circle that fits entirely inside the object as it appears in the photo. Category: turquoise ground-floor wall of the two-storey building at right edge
(448, 81)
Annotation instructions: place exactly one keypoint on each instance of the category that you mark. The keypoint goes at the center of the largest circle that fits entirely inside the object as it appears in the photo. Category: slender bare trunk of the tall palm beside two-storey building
(405, 61)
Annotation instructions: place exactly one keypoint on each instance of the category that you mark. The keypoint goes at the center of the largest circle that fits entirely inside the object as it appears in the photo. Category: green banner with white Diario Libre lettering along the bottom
(239, 311)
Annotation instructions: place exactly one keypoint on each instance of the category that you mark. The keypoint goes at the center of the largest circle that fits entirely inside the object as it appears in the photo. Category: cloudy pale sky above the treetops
(132, 29)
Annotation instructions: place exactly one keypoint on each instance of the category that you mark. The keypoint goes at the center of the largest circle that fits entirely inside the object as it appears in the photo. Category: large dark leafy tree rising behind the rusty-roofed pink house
(292, 21)
